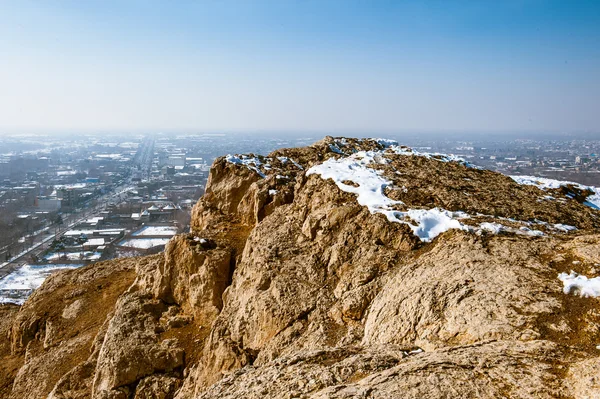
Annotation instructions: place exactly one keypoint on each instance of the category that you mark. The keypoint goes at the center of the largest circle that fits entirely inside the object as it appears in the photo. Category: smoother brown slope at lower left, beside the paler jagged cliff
(45, 344)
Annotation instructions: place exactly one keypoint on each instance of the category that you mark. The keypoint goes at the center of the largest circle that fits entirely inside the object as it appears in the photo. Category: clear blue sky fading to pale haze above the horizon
(300, 65)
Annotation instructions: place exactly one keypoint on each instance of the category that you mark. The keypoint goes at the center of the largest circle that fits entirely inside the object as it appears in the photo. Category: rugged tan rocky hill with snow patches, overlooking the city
(350, 268)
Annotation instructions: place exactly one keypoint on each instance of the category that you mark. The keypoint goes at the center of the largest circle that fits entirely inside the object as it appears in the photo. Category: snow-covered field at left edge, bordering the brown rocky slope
(18, 285)
